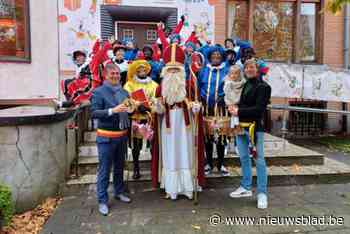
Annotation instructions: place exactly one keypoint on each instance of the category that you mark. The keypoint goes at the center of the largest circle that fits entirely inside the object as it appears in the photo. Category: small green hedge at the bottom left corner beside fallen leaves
(6, 205)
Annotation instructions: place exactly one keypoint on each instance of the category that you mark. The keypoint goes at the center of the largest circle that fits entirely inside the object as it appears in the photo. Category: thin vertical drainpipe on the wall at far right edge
(346, 55)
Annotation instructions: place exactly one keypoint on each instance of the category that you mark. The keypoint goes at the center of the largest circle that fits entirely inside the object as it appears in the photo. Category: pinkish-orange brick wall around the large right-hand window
(330, 36)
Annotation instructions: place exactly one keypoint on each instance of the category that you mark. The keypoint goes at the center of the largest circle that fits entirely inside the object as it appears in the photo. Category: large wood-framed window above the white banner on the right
(281, 31)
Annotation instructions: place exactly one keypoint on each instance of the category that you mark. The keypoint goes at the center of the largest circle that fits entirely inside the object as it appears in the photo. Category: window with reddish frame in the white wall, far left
(14, 31)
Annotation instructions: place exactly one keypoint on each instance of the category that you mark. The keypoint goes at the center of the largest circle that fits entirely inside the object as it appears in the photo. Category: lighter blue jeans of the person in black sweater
(246, 163)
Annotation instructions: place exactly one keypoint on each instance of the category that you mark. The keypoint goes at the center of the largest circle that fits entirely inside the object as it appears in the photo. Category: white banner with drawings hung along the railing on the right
(316, 82)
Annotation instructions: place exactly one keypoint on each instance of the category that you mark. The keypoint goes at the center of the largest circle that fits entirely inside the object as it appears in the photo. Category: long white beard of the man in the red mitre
(174, 87)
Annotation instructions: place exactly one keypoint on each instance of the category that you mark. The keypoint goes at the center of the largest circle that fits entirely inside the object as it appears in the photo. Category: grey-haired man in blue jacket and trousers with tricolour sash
(107, 105)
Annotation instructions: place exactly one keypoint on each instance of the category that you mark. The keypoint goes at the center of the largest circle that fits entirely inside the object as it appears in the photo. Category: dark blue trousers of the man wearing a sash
(110, 152)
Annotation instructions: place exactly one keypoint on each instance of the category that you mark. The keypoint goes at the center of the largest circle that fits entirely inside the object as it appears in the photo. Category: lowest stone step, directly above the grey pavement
(331, 172)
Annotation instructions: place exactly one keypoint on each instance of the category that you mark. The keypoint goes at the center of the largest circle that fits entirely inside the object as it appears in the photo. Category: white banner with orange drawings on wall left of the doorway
(79, 25)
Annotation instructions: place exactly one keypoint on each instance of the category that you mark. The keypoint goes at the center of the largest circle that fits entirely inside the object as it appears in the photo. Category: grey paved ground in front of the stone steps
(150, 213)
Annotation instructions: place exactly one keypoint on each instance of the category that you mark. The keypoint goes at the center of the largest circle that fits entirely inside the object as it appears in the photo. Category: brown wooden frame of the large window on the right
(296, 57)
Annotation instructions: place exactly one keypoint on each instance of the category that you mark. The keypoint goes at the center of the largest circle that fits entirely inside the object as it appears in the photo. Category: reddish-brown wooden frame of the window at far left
(27, 47)
